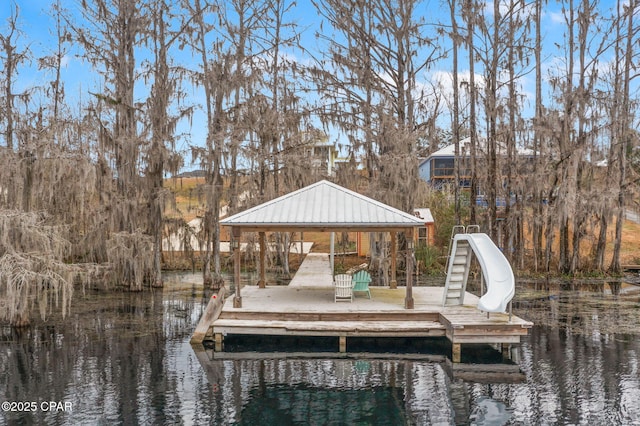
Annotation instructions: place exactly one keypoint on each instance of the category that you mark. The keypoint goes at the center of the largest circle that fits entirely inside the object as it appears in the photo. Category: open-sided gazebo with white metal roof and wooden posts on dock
(323, 207)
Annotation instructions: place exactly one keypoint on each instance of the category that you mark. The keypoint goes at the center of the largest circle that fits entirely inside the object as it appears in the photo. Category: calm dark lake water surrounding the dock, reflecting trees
(126, 359)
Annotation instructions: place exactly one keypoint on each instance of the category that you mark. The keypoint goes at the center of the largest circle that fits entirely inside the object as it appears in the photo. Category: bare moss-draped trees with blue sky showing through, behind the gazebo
(99, 117)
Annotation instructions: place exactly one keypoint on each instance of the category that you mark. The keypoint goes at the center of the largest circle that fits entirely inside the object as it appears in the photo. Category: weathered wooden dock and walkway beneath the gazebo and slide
(306, 307)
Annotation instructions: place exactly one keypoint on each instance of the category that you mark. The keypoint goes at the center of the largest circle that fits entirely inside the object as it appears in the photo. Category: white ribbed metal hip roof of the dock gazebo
(322, 206)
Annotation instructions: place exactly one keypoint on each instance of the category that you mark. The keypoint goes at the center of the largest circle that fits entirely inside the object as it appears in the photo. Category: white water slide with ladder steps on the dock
(496, 270)
